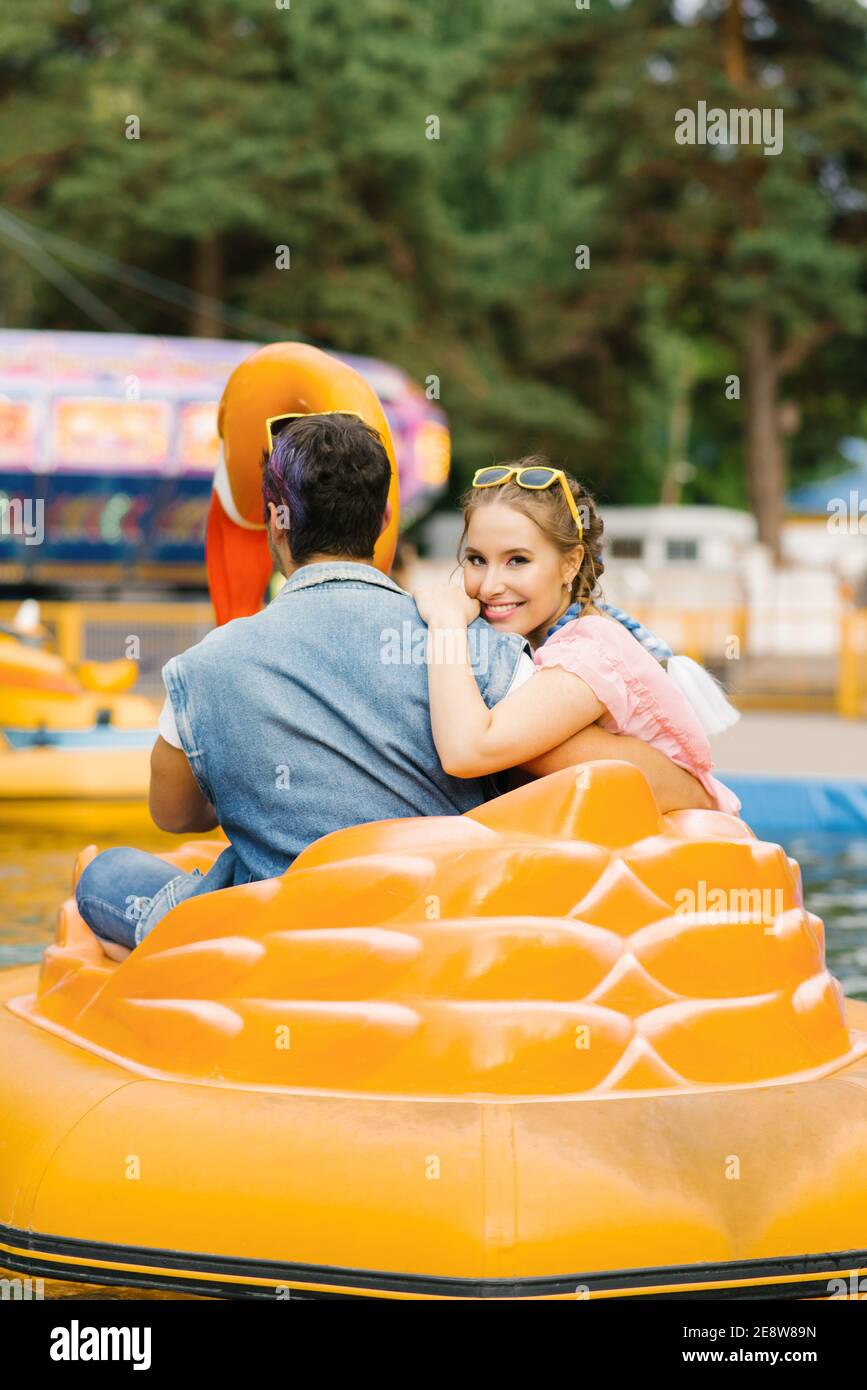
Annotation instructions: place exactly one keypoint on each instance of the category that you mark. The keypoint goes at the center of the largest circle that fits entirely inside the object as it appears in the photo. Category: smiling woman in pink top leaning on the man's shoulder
(531, 566)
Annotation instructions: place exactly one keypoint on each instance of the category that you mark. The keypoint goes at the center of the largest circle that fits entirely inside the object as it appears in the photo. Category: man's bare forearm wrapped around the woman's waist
(673, 787)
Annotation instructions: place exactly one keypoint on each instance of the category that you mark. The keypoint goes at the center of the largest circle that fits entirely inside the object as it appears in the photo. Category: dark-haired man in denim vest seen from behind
(313, 715)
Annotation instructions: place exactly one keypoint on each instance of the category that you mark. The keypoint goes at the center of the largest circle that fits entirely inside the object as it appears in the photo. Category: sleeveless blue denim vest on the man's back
(313, 717)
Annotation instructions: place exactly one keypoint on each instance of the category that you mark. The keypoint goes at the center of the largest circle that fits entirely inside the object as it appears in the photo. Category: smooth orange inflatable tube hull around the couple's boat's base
(116, 1178)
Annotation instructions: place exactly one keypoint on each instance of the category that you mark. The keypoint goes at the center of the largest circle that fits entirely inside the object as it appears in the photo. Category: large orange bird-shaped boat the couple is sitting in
(559, 1047)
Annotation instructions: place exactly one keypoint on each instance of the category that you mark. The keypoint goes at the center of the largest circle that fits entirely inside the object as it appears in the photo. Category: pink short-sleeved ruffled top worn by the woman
(640, 697)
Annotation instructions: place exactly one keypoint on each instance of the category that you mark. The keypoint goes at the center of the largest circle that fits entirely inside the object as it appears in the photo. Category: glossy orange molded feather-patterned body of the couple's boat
(472, 957)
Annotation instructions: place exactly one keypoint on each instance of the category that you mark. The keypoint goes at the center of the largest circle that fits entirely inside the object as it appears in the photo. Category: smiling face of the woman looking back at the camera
(511, 566)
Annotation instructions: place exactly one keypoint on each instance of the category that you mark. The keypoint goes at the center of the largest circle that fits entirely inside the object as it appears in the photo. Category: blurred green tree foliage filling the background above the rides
(311, 127)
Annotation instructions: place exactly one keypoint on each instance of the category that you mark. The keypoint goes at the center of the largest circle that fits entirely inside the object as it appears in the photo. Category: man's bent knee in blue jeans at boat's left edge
(119, 888)
